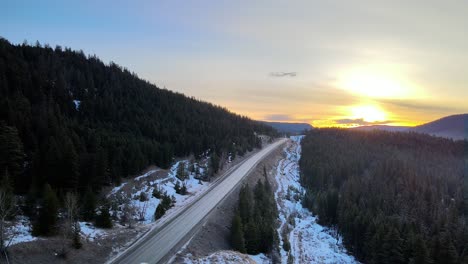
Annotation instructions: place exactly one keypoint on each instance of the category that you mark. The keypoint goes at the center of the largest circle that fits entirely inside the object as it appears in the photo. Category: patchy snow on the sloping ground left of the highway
(143, 214)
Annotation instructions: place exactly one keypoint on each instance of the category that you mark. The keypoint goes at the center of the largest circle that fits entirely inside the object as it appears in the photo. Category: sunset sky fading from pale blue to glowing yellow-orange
(327, 63)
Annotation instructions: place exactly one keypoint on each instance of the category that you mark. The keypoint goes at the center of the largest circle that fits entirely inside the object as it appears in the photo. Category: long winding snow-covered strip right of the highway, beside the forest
(310, 242)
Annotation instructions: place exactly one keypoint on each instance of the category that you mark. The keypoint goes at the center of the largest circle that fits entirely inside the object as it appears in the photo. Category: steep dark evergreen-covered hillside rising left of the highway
(73, 122)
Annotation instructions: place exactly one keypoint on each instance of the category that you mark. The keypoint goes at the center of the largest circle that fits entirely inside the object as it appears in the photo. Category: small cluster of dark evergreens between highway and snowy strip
(253, 225)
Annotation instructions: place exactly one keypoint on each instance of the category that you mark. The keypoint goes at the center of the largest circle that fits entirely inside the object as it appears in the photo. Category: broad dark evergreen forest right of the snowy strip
(394, 197)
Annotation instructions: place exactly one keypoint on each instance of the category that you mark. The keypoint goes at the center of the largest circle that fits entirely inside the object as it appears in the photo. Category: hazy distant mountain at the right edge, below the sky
(455, 126)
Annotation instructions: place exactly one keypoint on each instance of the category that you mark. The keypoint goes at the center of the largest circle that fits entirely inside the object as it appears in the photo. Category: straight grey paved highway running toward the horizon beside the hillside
(161, 243)
